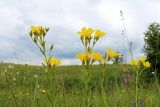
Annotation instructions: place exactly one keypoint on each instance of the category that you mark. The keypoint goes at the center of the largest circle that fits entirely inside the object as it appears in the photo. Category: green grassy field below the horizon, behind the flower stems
(31, 88)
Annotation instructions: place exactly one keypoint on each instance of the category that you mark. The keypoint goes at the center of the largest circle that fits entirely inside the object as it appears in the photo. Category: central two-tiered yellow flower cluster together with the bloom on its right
(89, 37)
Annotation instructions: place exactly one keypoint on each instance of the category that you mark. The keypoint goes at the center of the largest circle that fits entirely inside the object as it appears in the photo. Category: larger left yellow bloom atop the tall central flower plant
(86, 32)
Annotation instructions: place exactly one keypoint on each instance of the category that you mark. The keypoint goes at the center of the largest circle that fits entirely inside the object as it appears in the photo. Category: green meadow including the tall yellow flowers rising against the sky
(102, 80)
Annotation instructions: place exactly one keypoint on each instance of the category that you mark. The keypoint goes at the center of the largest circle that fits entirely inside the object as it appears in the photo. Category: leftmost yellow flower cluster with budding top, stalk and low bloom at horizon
(38, 33)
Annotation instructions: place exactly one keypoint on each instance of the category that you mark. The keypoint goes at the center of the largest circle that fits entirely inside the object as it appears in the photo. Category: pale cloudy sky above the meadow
(65, 18)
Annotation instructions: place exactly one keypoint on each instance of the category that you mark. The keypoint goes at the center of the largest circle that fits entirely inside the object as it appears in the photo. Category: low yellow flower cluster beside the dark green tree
(141, 61)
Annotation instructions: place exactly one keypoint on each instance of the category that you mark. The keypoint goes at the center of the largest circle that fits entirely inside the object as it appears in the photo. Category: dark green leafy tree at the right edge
(152, 47)
